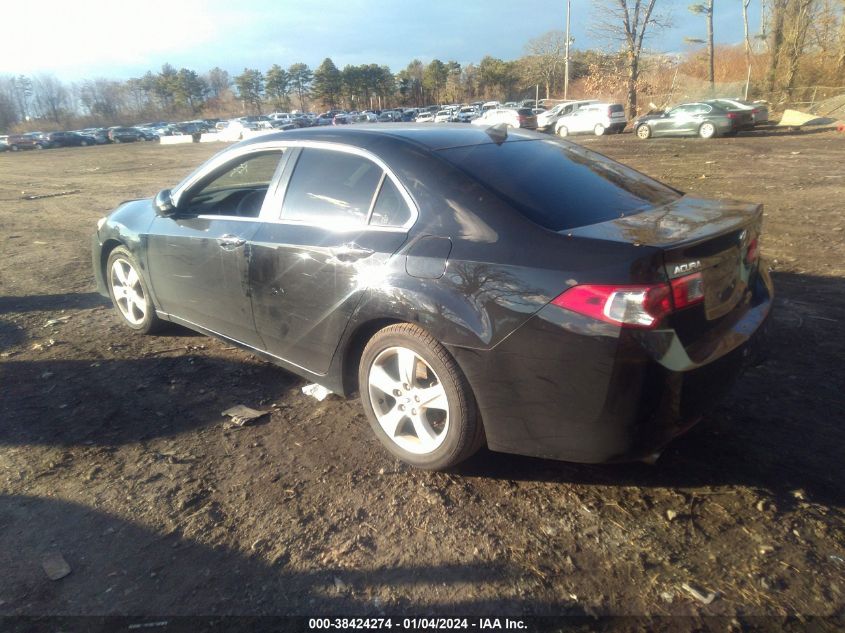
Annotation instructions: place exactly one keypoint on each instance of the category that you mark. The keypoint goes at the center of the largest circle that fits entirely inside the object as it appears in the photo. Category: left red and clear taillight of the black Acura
(642, 307)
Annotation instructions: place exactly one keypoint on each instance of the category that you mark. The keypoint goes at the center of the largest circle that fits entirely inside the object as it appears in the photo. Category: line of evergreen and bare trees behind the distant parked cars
(800, 42)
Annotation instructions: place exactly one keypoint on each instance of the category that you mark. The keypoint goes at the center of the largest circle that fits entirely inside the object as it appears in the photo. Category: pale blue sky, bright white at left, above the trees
(116, 39)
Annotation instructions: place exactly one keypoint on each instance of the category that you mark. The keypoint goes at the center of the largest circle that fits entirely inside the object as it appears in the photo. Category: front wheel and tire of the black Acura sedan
(129, 292)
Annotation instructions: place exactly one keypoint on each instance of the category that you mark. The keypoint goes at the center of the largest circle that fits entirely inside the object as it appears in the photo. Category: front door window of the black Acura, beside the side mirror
(238, 189)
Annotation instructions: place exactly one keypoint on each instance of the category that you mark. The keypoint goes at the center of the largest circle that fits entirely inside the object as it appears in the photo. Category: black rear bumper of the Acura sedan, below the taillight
(568, 387)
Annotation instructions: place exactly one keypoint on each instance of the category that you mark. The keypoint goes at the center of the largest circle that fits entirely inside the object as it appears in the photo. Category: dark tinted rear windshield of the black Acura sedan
(557, 185)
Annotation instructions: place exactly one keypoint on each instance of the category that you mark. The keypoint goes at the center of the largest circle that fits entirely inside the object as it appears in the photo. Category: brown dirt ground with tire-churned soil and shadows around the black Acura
(113, 451)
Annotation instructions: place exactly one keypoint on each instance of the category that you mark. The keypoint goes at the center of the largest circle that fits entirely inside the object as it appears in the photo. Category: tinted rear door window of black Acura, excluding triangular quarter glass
(329, 187)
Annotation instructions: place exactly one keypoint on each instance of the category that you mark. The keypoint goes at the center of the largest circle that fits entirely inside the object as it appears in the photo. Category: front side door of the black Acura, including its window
(199, 258)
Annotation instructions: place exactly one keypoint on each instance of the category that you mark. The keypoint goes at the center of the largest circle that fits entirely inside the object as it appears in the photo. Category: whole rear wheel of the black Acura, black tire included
(417, 400)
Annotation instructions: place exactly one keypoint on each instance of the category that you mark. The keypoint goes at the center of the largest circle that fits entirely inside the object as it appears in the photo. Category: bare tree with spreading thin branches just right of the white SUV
(627, 22)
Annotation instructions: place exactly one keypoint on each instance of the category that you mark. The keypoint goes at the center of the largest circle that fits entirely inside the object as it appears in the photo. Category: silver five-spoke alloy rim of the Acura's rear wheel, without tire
(409, 400)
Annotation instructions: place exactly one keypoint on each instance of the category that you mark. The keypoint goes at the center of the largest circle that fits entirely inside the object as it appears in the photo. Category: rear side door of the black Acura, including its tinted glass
(342, 218)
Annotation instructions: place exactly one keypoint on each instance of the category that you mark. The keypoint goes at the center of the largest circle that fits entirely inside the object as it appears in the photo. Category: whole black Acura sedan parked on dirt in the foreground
(474, 286)
